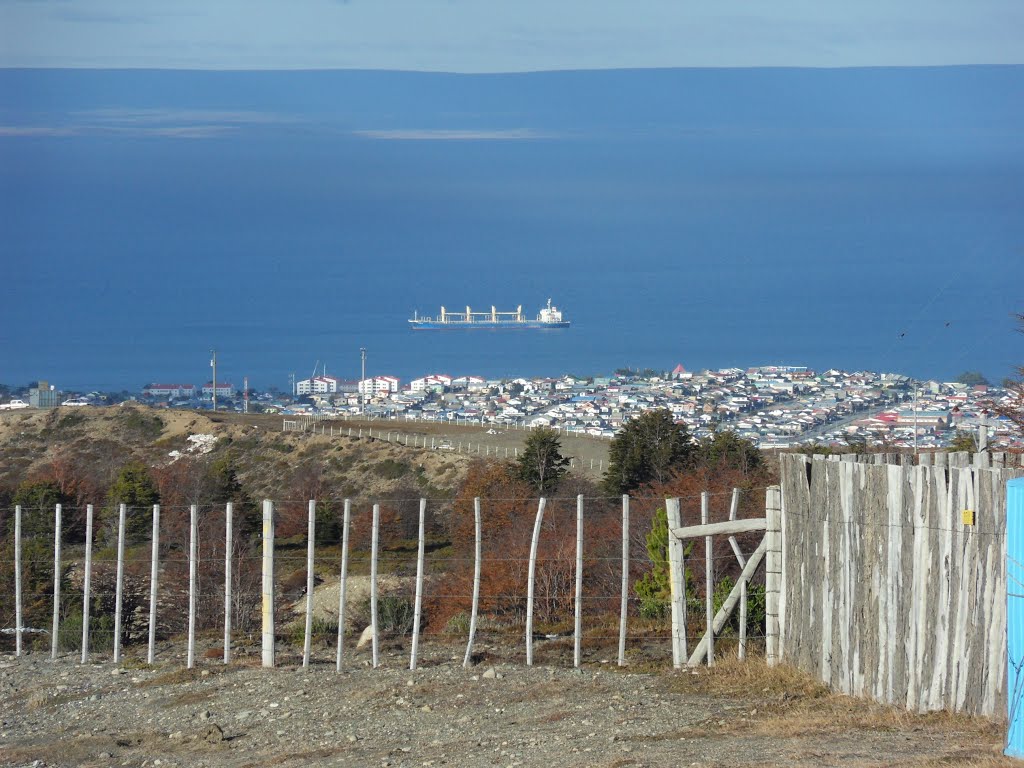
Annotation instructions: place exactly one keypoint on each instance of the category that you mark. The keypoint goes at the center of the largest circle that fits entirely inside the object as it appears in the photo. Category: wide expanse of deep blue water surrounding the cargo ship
(858, 219)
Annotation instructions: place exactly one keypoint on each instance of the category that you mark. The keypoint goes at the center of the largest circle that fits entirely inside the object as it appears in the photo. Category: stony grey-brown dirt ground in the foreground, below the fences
(496, 713)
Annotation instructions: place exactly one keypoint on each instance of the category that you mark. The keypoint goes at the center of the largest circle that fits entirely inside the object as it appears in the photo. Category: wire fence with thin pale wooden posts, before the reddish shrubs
(111, 586)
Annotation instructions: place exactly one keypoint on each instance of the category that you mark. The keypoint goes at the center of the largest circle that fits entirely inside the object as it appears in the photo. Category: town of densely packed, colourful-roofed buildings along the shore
(775, 407)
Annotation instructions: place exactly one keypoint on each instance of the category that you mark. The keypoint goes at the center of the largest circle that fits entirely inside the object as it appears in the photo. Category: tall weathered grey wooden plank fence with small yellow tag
(889, 588)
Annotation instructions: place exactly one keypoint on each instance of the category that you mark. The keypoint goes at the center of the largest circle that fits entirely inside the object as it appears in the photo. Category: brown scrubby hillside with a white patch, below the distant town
(90, 446)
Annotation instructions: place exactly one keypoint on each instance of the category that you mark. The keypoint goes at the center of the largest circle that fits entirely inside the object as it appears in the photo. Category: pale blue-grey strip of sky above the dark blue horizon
(492, 36)
